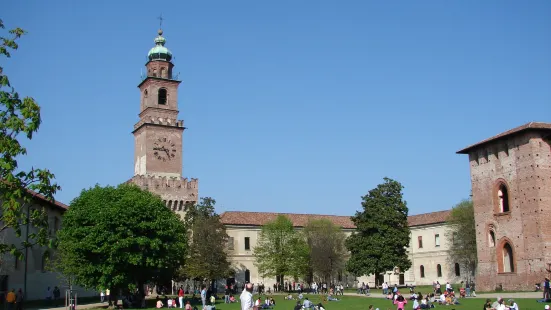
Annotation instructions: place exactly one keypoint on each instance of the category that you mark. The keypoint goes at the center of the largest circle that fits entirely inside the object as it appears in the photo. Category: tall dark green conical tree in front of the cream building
(381, 238)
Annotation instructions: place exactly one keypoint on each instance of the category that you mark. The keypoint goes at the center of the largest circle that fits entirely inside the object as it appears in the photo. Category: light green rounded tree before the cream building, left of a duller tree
(280, 250)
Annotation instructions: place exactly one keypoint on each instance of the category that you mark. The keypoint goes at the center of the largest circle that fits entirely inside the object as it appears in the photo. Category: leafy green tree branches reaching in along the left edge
(20, 117)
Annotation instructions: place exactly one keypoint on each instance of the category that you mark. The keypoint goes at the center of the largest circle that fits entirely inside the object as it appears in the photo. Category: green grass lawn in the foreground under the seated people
(357, 303)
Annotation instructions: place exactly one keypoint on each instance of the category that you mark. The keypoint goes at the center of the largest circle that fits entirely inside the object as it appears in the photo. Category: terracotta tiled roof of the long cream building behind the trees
(300, 220)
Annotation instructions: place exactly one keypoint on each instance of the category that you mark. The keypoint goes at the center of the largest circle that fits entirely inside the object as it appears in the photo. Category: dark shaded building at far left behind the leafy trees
(38, 271)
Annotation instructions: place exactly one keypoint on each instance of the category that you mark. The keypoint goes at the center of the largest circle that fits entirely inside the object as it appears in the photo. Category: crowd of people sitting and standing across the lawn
(207, 298)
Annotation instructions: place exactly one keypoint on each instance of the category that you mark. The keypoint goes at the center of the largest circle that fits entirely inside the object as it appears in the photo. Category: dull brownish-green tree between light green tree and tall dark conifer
(327, 250)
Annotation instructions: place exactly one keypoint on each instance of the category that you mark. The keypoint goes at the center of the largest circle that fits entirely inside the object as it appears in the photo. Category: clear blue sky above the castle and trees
(292, 106)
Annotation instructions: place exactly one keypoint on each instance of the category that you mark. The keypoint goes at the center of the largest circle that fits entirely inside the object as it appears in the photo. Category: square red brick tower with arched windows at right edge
(511, 188)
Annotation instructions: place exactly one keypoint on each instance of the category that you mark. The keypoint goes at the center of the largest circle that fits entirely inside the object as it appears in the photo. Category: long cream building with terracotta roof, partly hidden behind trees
(429, 257)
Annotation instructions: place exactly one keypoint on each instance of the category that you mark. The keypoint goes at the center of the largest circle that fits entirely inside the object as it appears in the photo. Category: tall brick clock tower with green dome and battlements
(158, 134)
